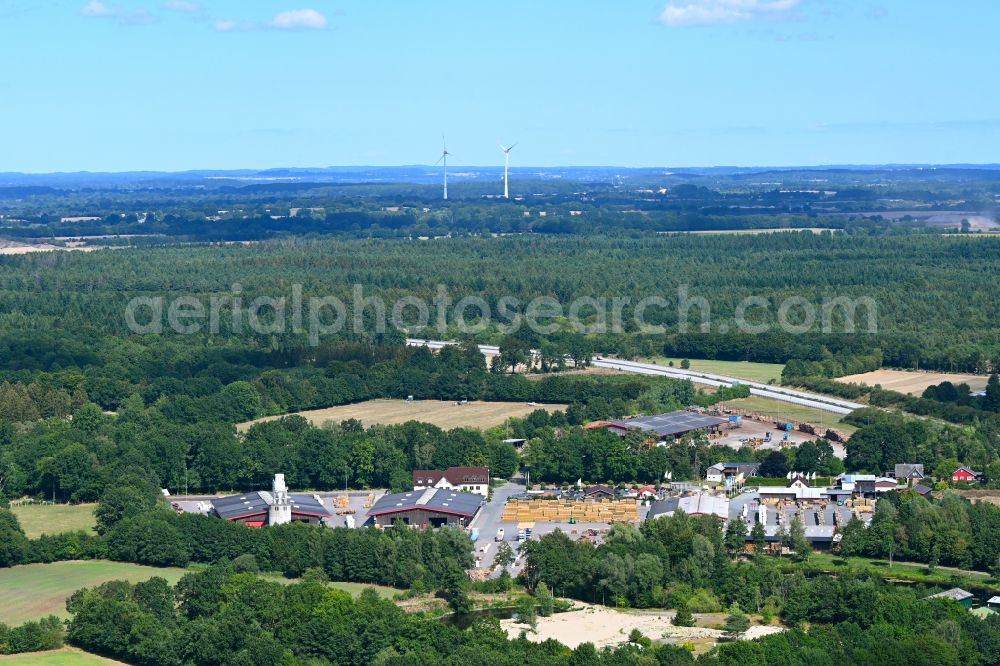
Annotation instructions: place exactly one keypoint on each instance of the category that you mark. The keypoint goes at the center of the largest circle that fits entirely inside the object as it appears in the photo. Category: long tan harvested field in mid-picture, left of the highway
(442, 413)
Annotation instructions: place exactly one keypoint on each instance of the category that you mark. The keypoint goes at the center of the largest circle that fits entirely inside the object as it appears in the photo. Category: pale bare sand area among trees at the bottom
(603, 626)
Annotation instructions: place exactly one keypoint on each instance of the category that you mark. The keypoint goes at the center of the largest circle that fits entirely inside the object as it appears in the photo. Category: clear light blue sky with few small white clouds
(188, 84)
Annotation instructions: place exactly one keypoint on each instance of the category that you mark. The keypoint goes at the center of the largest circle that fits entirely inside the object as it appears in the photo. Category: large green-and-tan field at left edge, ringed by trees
(32, 591)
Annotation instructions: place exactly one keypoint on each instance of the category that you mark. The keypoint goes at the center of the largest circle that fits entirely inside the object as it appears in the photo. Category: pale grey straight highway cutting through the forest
(791, 396)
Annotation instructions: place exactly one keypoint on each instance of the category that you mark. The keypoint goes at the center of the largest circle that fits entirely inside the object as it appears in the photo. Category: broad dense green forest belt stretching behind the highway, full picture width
(68, 309)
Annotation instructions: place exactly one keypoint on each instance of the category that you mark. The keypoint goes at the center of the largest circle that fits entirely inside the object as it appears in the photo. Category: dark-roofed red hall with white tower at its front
(277, 507)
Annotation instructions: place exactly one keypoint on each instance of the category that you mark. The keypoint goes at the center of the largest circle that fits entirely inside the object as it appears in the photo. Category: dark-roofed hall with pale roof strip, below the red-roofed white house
(429, 507)
